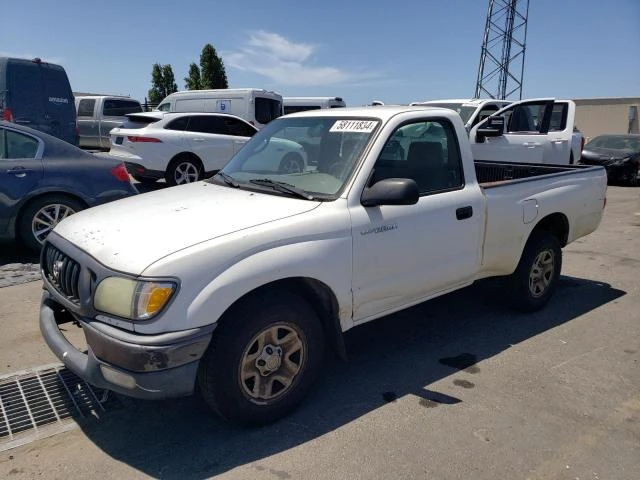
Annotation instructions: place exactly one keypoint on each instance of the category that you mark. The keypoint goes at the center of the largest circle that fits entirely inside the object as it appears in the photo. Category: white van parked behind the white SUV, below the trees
(256, 106)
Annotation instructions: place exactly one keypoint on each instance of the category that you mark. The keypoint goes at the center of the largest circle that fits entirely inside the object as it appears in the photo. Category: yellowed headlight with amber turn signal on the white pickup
(133, 299)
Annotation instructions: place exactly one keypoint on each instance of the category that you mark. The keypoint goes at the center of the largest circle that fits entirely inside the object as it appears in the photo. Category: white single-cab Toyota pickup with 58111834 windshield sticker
(240, 282)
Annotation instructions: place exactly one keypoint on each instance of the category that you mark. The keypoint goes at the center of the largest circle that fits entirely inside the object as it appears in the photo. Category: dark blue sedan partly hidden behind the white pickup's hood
(44, 180)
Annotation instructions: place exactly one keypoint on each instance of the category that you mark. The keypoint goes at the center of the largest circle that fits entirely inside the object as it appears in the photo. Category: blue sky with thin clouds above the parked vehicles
(396, 52)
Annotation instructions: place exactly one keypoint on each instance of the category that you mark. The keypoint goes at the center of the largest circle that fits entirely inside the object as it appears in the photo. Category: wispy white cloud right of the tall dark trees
(288, 63)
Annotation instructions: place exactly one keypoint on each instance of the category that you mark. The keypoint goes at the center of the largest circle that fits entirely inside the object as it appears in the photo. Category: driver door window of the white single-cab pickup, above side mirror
(426, 152)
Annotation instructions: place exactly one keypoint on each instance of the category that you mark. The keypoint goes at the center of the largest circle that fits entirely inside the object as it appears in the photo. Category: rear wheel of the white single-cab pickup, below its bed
(535, 278)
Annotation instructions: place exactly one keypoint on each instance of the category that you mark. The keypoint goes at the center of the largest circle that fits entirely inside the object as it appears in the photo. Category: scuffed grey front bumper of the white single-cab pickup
(140, 366)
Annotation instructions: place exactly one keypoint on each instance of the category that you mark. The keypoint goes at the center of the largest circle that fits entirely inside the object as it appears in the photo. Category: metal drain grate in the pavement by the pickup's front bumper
(42, 402)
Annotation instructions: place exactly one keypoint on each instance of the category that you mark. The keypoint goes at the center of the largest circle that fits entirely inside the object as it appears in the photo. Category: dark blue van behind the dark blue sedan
(37, 94)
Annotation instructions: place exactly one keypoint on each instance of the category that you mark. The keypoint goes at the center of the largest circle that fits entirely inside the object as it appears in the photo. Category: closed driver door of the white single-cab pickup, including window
(402, 254)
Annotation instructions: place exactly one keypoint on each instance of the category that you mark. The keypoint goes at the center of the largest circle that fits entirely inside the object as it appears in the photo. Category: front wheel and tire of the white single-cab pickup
(252, 393)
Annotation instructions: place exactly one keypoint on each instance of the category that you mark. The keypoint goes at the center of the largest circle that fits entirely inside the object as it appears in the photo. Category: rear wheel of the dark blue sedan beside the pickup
(41, 215)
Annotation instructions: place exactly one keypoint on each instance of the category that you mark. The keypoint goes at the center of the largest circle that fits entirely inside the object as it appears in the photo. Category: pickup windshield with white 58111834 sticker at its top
(310, 157)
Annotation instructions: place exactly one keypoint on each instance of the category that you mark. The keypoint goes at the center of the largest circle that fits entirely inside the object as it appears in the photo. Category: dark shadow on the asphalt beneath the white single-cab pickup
(397, 356)
